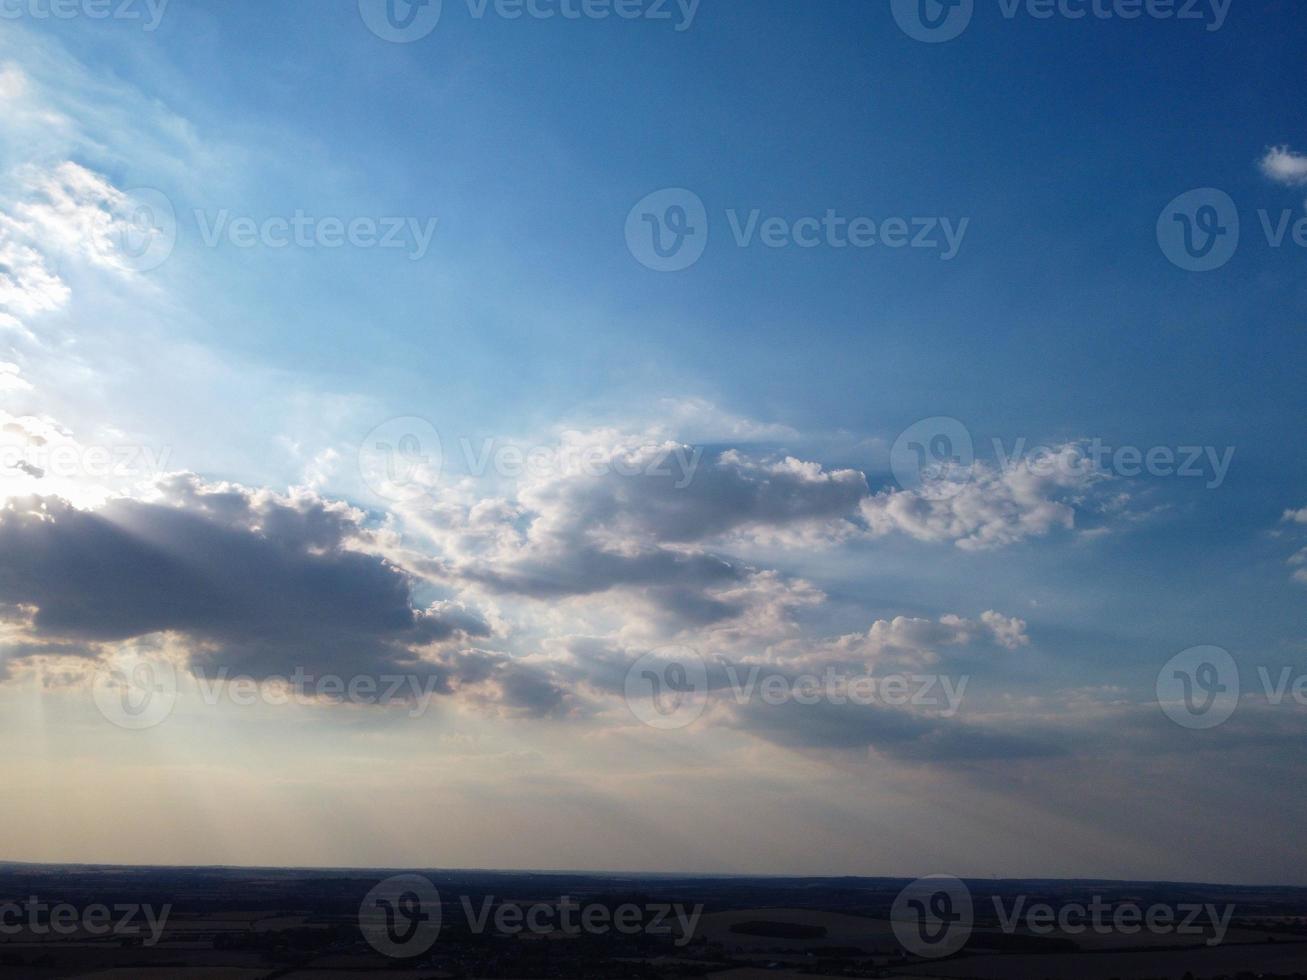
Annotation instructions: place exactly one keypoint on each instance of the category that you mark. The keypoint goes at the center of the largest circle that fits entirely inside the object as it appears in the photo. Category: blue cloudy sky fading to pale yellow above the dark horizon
(848, 438)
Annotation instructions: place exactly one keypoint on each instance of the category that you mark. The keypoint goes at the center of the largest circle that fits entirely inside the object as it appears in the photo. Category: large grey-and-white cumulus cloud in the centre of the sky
(633, 521)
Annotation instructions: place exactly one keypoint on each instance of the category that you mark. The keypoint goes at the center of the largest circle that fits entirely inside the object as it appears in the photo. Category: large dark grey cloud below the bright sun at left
(256, 582)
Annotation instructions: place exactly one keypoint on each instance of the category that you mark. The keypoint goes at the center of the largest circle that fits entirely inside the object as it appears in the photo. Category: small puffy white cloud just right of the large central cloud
(997, 508)
